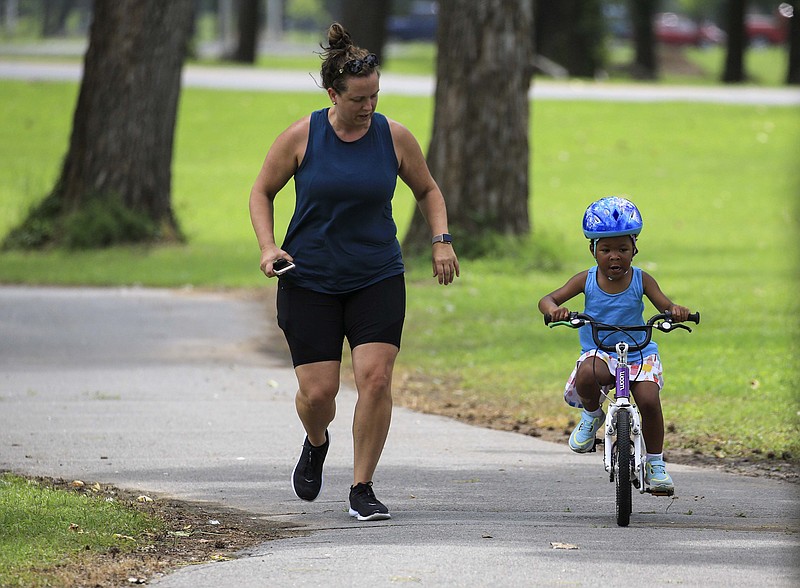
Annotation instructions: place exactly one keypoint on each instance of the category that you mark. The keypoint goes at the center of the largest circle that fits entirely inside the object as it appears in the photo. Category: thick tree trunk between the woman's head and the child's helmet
(479, 150)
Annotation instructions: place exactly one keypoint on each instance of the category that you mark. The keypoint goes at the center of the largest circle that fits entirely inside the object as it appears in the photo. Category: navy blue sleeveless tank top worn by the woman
(342, 235)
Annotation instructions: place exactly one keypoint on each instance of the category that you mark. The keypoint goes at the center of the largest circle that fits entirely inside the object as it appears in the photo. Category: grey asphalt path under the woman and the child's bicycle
(190, 394)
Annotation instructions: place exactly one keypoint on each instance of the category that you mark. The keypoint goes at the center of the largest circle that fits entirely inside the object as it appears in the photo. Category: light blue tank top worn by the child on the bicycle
(625, 308)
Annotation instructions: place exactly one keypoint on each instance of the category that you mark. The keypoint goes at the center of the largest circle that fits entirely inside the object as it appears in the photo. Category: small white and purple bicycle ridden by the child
(624, 448)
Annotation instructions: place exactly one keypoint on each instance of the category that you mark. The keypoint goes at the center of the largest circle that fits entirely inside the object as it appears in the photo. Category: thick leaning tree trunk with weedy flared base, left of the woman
(120, 152)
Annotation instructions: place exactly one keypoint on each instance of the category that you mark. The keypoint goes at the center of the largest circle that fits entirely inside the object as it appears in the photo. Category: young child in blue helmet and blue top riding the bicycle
(613, 292)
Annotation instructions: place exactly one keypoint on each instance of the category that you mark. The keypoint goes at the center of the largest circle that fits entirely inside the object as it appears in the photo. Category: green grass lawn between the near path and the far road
(717, 186)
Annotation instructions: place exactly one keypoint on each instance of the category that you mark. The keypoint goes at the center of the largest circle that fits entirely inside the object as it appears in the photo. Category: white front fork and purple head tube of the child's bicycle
(622, 402)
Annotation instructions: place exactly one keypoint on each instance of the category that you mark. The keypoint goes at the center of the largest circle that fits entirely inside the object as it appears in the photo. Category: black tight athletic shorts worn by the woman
(316, 324)
